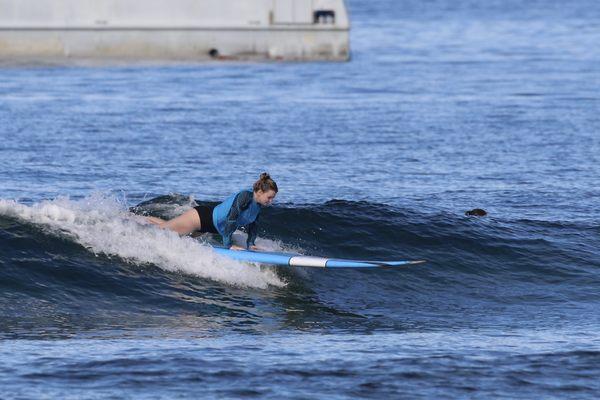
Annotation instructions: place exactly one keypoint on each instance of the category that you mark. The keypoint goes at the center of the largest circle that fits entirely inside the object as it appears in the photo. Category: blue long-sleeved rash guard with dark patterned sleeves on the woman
(237, 210)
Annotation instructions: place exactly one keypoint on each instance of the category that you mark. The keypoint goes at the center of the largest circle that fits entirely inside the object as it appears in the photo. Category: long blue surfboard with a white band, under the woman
(299, 260)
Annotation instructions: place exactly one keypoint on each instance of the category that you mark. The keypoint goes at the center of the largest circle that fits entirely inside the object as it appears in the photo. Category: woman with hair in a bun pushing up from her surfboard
(239, 209)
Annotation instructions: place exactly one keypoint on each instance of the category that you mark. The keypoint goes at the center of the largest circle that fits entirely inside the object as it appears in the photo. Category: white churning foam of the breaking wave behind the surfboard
(104, 226)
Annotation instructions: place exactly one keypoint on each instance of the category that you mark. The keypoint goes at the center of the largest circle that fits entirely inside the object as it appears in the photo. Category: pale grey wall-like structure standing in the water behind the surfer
(171, 30)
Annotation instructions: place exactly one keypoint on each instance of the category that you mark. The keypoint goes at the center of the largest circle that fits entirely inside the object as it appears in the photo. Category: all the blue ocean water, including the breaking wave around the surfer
(445, 107)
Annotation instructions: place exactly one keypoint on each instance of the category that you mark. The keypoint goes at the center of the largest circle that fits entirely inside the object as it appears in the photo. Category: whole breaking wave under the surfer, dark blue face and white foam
(62, 257)
